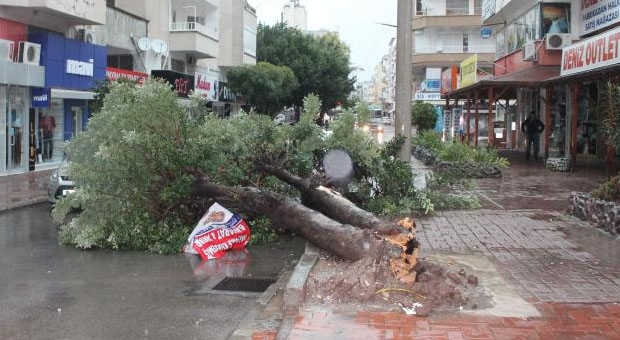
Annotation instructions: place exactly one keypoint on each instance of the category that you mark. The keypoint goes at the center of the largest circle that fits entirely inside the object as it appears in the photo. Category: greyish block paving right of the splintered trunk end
(533, 254)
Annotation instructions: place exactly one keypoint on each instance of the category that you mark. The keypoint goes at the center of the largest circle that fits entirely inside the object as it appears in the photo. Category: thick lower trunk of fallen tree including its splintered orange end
(347, 241)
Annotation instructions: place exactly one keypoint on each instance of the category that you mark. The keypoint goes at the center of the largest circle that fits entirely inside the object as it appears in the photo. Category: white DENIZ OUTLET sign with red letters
(593, 53)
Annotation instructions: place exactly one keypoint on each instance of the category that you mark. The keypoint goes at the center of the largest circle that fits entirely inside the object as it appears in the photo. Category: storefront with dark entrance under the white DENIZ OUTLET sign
(579, 92)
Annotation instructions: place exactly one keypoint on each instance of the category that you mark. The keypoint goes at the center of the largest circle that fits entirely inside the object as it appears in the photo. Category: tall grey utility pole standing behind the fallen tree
(404, 45)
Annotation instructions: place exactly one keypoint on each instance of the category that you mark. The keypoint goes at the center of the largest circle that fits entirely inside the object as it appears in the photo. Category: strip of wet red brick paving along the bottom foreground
(558, 322)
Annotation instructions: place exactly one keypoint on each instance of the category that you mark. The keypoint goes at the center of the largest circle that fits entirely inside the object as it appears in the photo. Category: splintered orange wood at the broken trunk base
(403, 266)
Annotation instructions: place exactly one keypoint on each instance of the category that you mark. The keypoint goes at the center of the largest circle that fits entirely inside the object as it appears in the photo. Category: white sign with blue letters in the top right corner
(598, 14)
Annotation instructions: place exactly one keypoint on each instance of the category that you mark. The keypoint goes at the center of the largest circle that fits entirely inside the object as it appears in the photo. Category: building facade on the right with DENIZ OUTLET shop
(550, 59)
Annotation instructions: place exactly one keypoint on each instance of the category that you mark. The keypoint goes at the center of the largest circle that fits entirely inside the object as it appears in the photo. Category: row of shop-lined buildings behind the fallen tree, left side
(53, 54)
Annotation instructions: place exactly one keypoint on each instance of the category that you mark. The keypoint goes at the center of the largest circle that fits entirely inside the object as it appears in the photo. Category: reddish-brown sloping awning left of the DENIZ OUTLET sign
(532, 77)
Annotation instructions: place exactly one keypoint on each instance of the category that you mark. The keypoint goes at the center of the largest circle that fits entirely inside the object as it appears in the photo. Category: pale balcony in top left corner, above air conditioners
(55, 13)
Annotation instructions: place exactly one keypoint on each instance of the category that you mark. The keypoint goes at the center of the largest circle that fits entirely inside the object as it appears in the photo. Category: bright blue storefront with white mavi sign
(73, 69)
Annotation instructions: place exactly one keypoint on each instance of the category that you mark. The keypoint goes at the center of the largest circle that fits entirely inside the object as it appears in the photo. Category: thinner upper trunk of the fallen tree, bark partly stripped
(333, 204)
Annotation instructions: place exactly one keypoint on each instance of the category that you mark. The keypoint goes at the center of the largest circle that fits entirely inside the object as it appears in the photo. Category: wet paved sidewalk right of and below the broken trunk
(552, 276)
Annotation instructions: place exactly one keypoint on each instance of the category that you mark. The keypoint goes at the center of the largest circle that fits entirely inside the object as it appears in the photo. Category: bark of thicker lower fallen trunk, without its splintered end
(340, 239)
